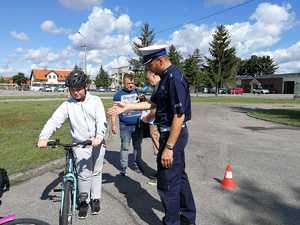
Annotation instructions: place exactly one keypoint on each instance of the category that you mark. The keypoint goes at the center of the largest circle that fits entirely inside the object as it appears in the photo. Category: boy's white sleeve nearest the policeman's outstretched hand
(101, 124)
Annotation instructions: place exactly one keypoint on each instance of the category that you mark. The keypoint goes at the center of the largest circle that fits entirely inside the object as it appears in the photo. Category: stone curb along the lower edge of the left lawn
(56, 164)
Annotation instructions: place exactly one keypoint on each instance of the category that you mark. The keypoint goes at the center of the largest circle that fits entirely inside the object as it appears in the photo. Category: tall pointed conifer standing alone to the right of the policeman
(223, 64)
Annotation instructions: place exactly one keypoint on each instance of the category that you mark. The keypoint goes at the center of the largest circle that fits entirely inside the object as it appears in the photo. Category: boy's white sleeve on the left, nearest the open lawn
(55, 122)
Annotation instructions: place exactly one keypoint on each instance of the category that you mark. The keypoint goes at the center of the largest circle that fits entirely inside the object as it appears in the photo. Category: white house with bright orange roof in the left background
(48, 77)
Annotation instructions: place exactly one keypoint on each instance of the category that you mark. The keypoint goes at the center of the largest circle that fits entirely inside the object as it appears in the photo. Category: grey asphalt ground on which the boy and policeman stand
(265, 159)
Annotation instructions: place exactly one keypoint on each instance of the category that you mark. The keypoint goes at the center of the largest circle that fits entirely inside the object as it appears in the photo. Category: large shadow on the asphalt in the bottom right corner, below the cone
(263, 206)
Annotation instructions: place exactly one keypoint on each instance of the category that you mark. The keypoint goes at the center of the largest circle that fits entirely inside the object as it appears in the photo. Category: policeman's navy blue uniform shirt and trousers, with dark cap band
(173, 97)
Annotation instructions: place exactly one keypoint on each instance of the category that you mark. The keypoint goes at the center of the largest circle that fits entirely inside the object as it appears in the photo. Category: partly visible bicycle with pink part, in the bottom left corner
(12, 220)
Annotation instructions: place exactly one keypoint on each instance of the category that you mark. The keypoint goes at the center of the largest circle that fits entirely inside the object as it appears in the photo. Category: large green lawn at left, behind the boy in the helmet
(20, 125)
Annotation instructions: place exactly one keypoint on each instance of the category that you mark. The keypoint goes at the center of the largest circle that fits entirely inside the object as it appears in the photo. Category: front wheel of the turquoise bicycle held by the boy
(65, 218)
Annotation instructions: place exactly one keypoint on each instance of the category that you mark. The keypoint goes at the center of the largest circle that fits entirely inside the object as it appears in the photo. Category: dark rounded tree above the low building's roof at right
(257, 66)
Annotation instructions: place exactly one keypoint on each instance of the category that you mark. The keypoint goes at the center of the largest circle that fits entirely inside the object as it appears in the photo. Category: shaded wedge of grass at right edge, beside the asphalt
(283, 116)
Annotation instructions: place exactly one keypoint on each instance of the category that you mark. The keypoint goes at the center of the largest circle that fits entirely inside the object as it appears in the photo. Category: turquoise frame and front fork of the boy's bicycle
(70, 175)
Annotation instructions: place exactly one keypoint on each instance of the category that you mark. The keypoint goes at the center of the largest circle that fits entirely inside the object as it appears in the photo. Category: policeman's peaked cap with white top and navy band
(152, 52)
